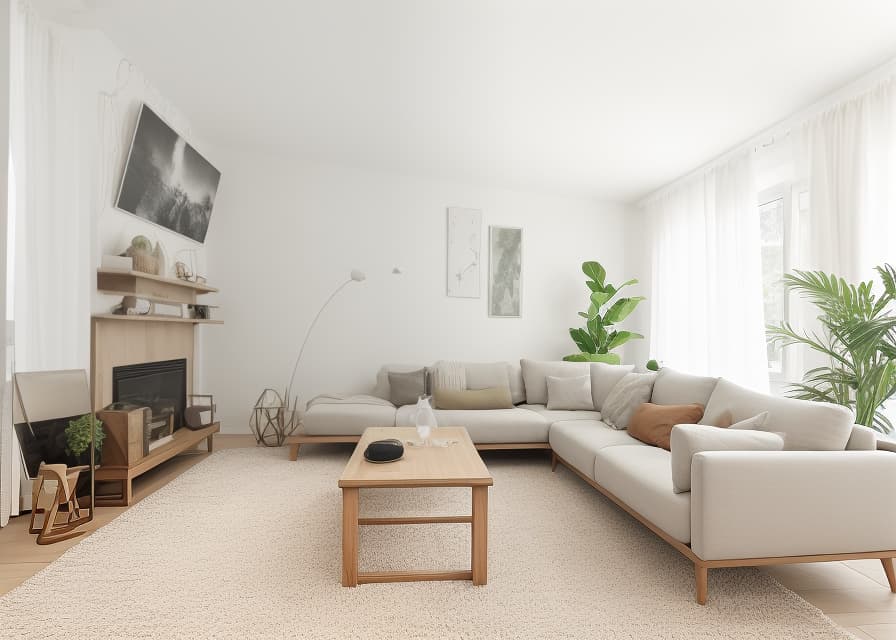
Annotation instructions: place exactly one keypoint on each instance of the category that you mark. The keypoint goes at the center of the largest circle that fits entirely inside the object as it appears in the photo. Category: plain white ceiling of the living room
(598, 98)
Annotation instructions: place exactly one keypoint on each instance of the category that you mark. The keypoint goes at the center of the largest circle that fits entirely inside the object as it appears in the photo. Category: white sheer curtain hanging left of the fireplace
(51, 150)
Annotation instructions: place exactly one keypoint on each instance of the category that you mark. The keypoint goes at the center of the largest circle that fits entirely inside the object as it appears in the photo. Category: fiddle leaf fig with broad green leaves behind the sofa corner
(597, 339)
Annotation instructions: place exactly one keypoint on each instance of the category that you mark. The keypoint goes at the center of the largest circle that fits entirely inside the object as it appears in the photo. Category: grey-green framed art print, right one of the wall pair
(505, 271)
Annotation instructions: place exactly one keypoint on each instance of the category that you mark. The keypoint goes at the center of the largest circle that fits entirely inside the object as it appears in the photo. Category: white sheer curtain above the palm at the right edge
(849, 153)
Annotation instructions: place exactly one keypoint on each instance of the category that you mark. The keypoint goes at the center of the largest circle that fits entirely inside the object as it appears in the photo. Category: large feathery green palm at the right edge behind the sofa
(858, 336)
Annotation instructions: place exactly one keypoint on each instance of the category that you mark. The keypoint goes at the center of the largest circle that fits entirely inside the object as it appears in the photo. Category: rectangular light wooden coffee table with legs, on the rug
(457, 465)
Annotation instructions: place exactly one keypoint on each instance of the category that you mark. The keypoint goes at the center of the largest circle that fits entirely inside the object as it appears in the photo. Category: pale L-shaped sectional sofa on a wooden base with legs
(816, 500)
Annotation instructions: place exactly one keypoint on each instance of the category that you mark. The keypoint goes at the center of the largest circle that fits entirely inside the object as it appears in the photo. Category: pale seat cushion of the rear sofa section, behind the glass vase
(487, 426)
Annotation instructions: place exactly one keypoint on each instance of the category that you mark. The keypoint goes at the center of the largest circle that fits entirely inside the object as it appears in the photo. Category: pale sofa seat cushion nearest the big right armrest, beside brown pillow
(642, 478)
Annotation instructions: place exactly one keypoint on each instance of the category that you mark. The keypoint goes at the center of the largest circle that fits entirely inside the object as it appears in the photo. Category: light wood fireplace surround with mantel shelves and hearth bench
(119, 340)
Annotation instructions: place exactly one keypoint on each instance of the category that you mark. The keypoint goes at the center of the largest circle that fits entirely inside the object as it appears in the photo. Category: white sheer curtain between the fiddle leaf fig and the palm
(706, 282)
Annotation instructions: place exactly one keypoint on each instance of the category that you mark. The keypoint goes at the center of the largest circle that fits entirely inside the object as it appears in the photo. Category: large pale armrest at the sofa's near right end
(757, 504)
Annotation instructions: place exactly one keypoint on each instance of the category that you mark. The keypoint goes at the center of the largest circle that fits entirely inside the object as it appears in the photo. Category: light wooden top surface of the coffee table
(457, 465)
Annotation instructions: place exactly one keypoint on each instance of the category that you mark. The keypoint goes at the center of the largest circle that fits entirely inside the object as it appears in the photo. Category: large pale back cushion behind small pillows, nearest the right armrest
(805, 425)
